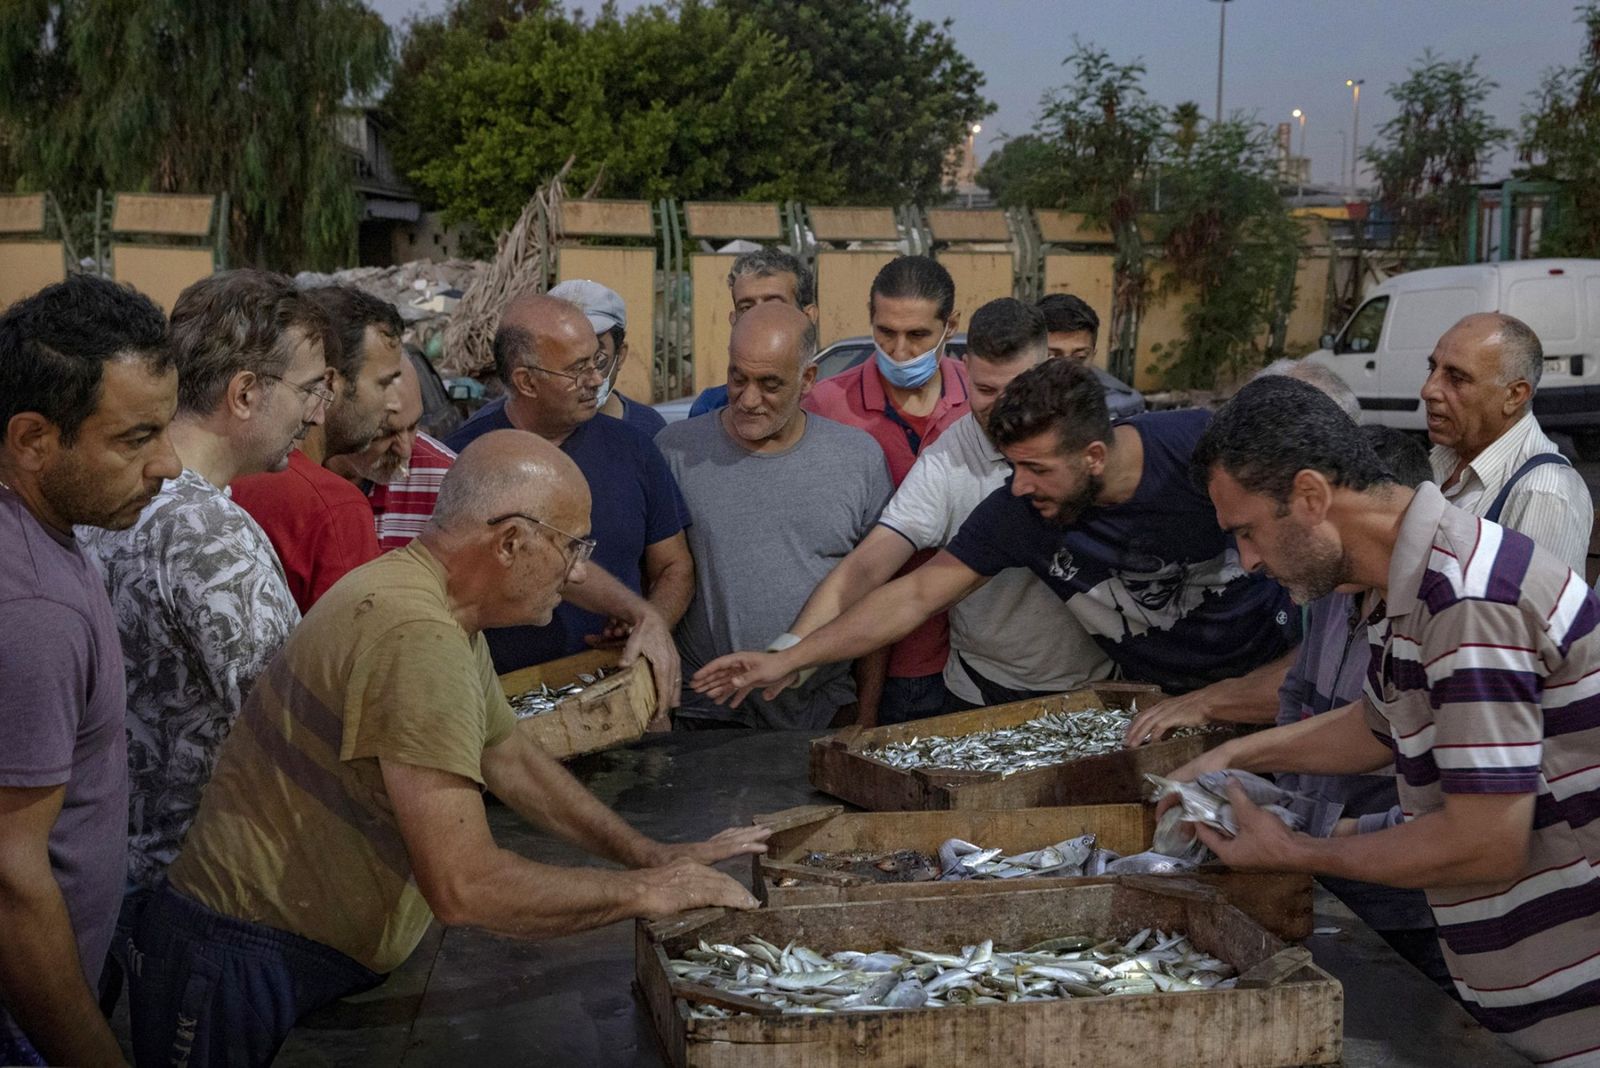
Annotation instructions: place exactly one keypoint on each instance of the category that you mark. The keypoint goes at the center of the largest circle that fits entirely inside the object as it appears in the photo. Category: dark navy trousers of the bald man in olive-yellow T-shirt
(214, 990)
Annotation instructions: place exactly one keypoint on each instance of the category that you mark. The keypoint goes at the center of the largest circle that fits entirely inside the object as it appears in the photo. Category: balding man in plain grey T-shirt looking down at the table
(778, 498)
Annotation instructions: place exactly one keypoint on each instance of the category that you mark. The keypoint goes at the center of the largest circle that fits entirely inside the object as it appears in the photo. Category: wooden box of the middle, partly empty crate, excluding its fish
(1278, 901)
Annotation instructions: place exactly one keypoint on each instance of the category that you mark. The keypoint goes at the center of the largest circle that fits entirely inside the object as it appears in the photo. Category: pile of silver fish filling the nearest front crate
(796, 979)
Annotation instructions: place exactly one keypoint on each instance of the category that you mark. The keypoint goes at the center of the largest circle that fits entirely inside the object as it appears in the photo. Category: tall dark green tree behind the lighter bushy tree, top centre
(895, 94)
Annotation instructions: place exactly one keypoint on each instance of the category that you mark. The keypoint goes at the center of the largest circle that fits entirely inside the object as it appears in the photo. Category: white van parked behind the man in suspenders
(1383, 351)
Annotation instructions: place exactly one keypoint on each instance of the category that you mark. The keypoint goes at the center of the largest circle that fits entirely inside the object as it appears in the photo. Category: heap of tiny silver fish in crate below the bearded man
(1054, 738)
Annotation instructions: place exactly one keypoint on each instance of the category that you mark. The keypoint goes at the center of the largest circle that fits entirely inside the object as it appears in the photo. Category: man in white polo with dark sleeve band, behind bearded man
(1014, 639)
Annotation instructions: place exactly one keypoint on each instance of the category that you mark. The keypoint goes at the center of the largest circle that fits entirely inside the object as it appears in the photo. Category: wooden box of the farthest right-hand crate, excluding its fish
(841, 767)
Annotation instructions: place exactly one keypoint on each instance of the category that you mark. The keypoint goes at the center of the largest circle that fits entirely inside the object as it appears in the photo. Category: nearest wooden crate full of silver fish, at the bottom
(1105, 976)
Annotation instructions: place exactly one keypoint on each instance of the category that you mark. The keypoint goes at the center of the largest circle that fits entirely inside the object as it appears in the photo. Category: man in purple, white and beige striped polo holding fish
(1484, 652)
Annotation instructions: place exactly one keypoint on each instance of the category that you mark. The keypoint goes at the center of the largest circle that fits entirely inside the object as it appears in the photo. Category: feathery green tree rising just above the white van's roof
(1433, 151)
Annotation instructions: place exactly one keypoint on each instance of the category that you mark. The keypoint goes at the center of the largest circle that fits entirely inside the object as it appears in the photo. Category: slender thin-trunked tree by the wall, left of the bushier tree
(1105, 132)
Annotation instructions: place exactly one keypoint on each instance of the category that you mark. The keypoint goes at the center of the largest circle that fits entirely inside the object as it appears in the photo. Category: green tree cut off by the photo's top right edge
(1561, 141)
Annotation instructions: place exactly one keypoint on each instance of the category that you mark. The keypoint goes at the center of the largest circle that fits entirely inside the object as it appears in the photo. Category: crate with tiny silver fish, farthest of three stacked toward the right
(1054, 751)
